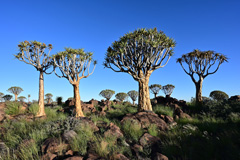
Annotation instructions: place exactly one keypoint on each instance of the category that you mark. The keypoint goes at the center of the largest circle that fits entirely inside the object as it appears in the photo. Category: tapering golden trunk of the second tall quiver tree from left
(79, 112)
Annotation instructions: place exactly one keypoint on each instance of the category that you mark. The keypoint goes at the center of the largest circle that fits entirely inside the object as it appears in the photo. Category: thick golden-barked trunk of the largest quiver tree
(144, 102)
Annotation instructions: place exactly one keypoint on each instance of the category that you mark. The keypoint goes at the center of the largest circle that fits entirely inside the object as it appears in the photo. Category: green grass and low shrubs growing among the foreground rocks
(212, 133)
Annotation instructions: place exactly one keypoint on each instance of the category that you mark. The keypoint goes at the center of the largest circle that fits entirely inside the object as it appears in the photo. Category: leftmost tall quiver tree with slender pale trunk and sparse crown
(33, 53)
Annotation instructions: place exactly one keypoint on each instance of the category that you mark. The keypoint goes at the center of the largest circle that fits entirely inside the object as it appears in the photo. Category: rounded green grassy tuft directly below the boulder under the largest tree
(132, 130)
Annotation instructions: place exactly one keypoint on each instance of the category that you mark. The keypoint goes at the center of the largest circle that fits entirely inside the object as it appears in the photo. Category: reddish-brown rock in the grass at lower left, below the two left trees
(53, 145)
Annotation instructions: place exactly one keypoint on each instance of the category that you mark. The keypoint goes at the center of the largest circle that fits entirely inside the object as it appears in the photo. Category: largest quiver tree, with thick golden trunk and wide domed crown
(139, 53)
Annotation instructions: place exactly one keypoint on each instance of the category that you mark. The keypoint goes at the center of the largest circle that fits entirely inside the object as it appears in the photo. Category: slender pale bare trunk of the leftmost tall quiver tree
(41, 111)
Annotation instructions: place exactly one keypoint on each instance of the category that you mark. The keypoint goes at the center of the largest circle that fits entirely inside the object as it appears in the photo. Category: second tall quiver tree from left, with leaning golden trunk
(74, 64)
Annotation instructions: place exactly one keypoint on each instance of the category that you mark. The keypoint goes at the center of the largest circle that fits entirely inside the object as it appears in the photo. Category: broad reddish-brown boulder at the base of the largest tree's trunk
(146, 119)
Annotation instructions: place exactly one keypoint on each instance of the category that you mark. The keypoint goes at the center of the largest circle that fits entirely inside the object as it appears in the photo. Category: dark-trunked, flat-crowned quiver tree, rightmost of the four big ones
(199, 65)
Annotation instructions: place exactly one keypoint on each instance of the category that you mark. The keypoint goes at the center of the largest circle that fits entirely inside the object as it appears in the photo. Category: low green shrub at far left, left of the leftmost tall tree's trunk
(13, 108)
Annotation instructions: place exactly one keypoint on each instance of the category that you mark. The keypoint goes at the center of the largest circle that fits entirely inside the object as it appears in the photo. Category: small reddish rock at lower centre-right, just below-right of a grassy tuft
(149, 140)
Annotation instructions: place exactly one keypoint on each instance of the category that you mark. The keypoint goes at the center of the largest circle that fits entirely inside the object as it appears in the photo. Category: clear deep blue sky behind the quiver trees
(95, 24)
